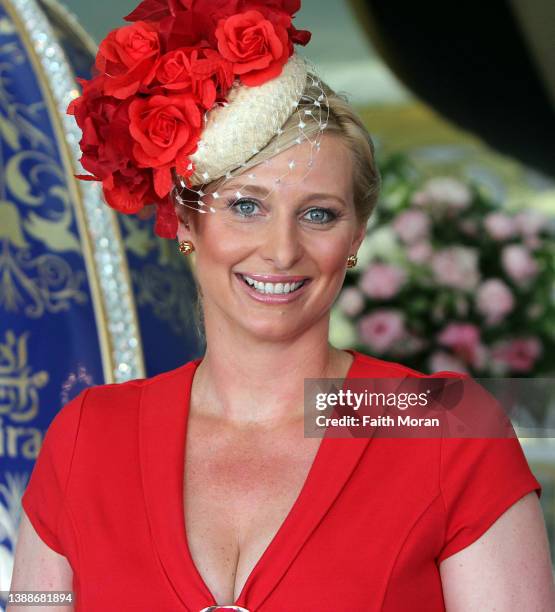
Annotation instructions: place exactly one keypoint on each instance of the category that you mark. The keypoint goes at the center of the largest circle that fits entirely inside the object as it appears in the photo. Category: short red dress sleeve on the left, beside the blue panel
(44, 496)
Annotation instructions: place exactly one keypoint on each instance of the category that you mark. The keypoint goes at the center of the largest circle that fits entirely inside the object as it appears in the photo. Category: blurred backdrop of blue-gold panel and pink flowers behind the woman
(457, 271)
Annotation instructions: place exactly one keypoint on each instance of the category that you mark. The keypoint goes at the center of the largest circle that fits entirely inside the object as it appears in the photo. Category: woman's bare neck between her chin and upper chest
(244, 380)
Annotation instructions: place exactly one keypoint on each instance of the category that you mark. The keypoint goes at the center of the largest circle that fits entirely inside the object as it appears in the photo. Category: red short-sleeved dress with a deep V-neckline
(371, 524)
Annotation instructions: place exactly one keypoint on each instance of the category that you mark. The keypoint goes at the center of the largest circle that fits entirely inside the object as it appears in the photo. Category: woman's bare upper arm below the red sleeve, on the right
(508, 568)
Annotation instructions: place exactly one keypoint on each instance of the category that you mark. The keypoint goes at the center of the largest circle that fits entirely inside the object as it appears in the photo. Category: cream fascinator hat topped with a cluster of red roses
(191, 89)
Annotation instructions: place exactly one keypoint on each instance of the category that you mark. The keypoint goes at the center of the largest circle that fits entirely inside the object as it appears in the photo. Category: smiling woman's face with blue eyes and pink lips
(303, 227)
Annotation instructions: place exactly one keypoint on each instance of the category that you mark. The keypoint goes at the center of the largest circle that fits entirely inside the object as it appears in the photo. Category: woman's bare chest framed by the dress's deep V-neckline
(238, 490)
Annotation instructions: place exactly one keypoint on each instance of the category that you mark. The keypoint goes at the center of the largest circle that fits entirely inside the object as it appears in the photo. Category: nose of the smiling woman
(282, 245)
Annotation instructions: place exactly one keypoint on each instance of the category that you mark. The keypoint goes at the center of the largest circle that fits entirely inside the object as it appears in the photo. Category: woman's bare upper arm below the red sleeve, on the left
(37, 567)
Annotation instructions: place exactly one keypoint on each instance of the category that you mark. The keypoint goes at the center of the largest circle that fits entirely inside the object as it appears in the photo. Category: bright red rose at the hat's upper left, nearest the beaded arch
(127, 56)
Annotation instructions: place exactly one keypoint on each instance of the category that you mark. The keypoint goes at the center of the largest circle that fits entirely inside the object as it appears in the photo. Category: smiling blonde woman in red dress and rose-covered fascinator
(197, 489)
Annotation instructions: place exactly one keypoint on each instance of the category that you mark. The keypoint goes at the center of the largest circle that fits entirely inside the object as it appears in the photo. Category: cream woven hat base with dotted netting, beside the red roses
(251, 120)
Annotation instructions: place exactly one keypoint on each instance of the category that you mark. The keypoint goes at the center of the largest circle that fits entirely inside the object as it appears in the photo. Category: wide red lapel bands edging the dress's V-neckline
(164, 412)
